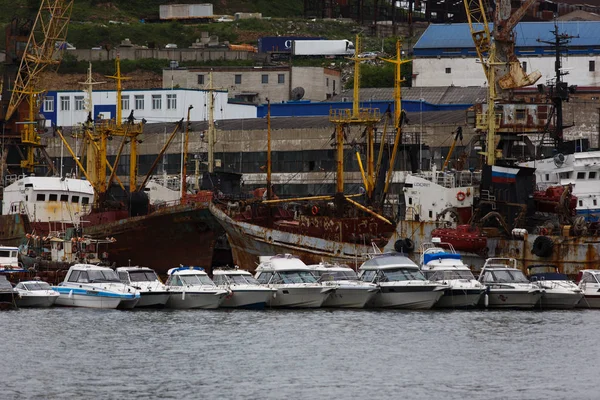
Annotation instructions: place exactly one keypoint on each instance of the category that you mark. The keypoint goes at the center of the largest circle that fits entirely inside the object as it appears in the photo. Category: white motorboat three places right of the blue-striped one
(245, 290)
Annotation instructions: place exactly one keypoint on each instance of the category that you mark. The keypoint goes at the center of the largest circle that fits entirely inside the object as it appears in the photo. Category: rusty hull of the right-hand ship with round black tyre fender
(569, 253)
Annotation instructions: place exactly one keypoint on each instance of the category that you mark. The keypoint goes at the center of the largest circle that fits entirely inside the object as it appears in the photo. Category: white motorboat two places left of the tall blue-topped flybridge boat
(350, 292)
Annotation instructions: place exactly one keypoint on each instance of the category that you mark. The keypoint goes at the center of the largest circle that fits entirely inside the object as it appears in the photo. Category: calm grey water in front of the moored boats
(79, 353)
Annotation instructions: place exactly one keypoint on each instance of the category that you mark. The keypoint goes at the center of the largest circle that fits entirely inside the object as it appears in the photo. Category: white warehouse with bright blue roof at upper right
(445, 54)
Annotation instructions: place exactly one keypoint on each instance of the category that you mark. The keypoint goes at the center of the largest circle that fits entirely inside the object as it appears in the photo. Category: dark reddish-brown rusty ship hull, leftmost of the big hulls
(181, 234)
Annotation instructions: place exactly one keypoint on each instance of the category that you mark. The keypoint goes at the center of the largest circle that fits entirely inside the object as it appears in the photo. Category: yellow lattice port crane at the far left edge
(36, 48)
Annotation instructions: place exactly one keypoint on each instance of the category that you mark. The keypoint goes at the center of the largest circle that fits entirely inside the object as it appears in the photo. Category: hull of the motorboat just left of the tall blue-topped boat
(411, 297)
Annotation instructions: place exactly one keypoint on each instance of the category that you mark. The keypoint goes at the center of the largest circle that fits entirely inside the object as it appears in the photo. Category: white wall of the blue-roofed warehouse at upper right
(468, 71)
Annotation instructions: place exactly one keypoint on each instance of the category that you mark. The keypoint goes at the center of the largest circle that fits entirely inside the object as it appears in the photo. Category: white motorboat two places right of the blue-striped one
(191, 287)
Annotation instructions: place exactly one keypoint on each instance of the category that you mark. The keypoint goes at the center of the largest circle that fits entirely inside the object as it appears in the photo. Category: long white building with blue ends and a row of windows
(67, 108)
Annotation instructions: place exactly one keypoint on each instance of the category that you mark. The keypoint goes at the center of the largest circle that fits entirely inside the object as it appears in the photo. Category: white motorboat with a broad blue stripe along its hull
(93, 286)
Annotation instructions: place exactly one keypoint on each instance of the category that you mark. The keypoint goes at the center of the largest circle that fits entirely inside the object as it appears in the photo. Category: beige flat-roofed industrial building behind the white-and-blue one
(257, 84)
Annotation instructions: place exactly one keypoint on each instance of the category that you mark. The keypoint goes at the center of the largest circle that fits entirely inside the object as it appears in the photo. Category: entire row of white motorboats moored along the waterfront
(385, 280)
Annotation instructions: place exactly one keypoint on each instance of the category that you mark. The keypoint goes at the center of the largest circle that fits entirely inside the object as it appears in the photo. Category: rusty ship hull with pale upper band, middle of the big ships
(249, 241)
